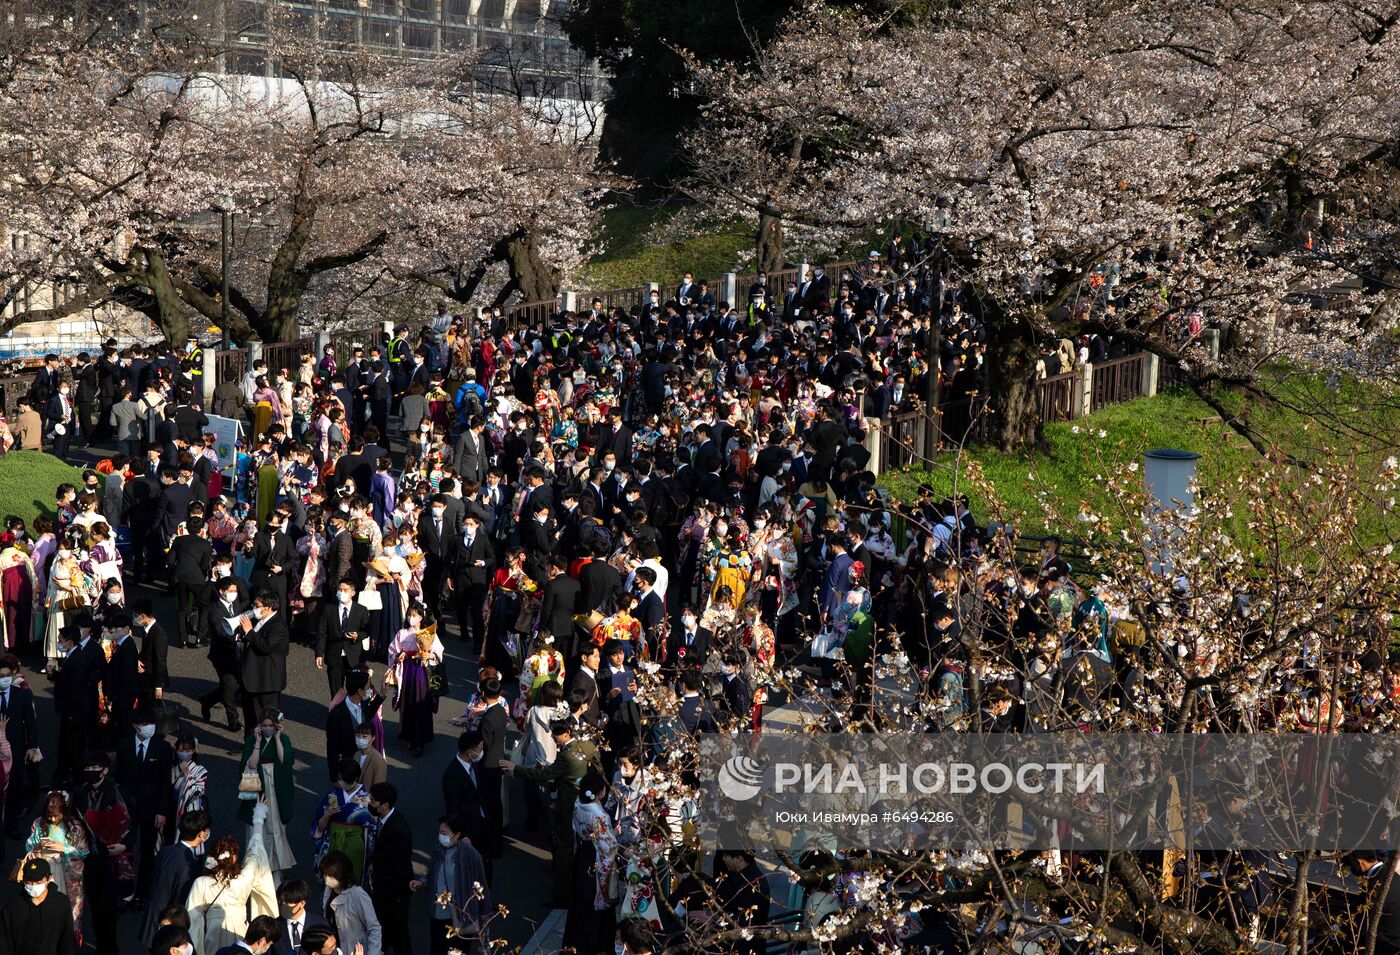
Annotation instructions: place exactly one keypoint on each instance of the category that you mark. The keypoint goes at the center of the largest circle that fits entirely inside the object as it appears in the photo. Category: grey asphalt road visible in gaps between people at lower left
(521, 880)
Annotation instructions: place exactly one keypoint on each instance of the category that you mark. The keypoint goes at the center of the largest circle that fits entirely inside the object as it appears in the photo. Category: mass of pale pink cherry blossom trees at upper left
(349, 172)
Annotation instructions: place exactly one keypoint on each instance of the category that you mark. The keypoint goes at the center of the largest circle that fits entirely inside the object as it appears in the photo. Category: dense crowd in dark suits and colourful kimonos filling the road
(633, 522)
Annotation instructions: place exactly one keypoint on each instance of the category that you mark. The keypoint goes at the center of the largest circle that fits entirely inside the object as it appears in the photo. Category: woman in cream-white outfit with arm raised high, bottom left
(220, 901)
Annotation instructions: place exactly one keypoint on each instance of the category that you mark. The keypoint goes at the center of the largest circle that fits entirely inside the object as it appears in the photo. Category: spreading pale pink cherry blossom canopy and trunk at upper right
(1051, 144)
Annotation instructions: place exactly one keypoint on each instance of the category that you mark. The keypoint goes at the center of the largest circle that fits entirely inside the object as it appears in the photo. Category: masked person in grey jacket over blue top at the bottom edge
(454, 876)
